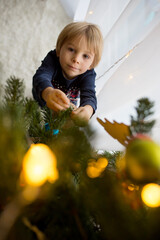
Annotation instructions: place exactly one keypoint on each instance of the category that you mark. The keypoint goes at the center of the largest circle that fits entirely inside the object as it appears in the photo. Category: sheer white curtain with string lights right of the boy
(130, 67)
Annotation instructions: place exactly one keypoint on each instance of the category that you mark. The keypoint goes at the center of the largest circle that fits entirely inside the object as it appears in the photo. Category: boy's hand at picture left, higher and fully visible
(55, 99)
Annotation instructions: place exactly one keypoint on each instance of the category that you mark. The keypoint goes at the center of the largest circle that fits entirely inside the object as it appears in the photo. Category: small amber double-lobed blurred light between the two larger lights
(95, 169)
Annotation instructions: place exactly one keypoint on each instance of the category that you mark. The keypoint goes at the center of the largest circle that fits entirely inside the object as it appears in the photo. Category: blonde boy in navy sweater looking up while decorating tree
(67, 72)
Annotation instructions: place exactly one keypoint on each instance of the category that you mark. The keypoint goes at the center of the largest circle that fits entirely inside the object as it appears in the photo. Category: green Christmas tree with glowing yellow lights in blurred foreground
(54, 185)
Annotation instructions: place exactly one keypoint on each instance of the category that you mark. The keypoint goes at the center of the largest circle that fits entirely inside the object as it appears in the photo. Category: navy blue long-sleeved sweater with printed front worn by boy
(49, 74)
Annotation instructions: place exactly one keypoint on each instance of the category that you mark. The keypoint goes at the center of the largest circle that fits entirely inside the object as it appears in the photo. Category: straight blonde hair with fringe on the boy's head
(76, 30)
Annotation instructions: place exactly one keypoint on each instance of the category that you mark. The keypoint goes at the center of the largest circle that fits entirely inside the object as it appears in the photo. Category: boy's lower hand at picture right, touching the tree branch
(82, 115)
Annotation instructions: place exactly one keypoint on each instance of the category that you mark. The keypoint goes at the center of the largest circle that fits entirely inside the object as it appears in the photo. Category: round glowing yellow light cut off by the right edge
(151, 195)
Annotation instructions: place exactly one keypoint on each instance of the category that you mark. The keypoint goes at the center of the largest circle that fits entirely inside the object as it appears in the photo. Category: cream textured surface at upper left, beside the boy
(28, 30)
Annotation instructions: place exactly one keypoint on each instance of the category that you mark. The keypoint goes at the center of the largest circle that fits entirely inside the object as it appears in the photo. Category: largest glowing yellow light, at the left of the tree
(39, 165)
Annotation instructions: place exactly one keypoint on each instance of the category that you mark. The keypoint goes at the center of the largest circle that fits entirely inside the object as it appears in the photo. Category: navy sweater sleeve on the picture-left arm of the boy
(43, 77)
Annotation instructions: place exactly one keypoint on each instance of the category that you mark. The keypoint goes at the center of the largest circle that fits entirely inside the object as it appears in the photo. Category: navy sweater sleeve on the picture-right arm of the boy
(87, 90)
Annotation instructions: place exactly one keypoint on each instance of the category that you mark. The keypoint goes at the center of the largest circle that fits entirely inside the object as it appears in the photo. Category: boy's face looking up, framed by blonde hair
(75, 58)
